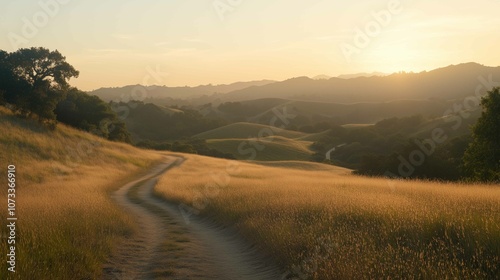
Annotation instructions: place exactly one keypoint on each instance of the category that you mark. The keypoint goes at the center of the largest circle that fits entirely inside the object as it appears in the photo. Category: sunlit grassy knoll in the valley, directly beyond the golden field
(273, 148)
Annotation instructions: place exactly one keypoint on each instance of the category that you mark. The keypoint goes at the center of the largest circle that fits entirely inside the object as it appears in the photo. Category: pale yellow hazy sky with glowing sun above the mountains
(192, 42)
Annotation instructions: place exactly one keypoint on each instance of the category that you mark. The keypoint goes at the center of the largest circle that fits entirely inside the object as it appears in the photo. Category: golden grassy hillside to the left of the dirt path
(66, 220)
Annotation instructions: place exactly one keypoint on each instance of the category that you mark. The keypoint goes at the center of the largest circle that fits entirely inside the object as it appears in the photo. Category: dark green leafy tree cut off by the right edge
(482, 157)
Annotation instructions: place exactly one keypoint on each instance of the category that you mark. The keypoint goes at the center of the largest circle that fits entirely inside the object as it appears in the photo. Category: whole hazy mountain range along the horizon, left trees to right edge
(447, 83)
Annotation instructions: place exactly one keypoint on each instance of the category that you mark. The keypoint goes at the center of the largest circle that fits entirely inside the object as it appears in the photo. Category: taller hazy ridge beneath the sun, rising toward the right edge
(455, 81)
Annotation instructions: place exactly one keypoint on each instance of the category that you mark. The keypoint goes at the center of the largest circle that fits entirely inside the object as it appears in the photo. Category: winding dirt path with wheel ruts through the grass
(165, 247)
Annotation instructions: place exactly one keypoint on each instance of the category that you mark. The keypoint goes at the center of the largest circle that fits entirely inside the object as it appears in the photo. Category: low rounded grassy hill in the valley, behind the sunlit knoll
(246, 130)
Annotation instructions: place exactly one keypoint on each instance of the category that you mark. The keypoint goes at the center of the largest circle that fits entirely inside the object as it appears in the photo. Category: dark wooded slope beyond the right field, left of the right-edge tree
(390, 148)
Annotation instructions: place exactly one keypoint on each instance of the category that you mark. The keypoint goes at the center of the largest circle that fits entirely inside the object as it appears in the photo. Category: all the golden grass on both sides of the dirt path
(317, 221)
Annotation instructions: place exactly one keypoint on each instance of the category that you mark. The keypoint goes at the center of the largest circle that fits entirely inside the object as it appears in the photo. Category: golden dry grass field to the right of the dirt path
(327, 224)
